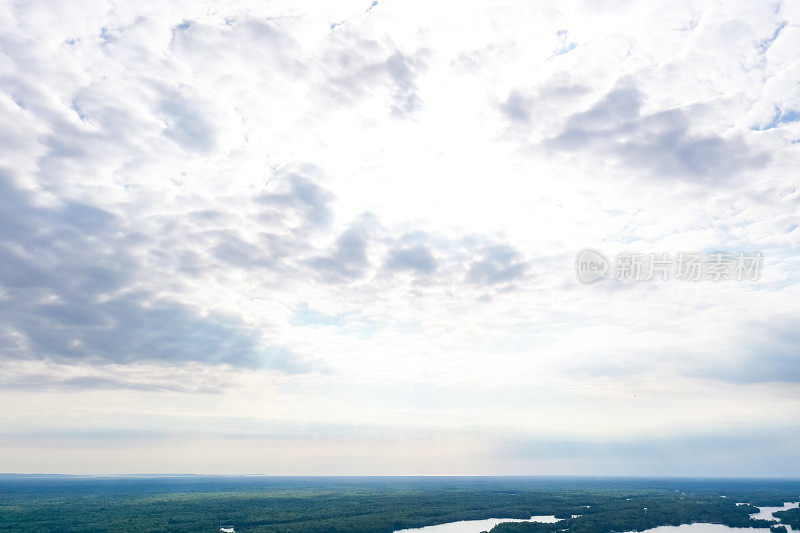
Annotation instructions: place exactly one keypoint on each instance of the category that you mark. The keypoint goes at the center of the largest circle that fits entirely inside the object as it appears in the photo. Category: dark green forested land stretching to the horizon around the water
(379, 505)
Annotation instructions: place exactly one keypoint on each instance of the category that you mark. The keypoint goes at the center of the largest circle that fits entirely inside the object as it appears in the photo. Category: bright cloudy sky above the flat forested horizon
(340, 237)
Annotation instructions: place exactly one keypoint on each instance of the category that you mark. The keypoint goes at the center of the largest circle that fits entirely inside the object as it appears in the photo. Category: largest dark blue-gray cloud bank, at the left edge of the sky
(67, 277)
